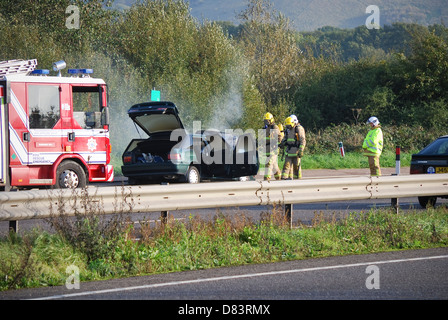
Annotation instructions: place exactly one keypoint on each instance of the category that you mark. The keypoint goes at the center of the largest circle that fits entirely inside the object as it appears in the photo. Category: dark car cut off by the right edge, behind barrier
(432, 159)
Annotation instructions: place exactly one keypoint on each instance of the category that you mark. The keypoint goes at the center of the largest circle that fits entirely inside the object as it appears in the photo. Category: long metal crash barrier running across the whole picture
(39, 204)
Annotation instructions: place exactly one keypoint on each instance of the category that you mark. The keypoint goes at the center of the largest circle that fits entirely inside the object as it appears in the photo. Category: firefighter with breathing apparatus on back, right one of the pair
(294, 144)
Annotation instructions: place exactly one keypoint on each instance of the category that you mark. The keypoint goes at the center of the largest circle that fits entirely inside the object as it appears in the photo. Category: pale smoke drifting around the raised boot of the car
(226, 114)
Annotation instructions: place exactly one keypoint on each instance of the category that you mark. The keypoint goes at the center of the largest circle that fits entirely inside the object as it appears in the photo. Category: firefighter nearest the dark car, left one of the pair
(272, 139)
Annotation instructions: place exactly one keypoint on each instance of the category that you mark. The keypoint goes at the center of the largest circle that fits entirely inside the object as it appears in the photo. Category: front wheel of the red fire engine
(70, 175)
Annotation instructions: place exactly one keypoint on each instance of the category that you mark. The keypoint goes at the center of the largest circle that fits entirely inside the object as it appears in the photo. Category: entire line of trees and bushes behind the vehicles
(228, 76)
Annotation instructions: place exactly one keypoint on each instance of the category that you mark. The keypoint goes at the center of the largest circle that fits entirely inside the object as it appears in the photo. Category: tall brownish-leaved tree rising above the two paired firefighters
(270, 45)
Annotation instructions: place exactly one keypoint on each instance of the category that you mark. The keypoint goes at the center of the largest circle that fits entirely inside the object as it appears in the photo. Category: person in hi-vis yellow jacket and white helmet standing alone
(373, 146)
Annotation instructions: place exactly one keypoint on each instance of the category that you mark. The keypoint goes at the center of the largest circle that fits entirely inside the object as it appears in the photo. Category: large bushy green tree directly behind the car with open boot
(193, 64)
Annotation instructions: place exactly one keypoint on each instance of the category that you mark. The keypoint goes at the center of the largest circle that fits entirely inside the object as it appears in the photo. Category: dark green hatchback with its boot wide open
(170, 153)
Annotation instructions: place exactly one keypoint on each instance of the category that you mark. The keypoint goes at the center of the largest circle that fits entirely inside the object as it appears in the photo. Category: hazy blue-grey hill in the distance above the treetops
(308, 15)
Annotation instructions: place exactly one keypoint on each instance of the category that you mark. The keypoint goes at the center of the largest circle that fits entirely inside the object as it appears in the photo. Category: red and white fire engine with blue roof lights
(54, 130)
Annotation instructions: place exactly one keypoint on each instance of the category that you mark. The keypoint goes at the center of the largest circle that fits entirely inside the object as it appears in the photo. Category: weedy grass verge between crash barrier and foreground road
(41, 259)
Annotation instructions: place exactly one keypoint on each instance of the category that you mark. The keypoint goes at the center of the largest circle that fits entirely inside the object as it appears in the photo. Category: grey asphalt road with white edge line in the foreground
(402, 275)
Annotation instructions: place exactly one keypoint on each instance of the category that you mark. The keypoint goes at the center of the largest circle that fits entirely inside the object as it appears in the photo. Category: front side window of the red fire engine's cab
(87, 108)
